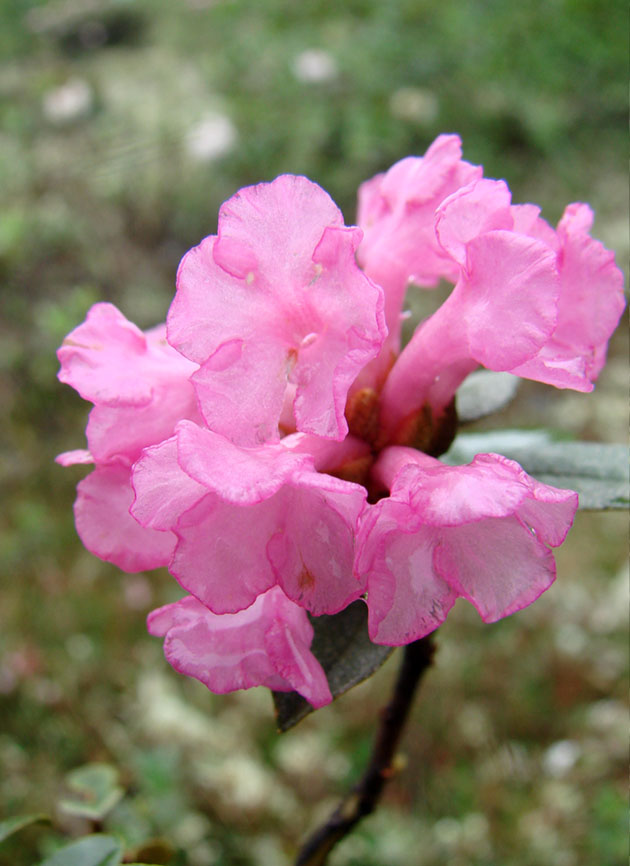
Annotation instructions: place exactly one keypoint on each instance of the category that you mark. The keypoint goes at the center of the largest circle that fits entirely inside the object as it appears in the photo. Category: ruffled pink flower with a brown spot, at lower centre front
(248, 519)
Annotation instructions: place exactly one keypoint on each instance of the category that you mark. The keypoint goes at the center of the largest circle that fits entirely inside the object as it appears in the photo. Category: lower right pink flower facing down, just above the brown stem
(481, 531)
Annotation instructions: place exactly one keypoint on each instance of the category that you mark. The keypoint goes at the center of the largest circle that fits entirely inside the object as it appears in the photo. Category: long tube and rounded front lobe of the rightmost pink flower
(501, 312)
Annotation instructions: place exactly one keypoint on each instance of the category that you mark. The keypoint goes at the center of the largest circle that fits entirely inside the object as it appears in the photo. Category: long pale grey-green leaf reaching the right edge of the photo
(598, 472)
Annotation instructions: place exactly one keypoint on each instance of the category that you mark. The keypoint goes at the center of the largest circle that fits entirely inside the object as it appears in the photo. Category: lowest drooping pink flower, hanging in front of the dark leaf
(265, 645)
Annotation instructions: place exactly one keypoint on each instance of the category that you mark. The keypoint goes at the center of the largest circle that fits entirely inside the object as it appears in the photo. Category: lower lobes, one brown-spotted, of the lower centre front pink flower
(302, 537)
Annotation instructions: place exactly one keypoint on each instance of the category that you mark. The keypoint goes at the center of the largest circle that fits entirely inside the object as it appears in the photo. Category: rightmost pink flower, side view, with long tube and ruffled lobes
(528, 300)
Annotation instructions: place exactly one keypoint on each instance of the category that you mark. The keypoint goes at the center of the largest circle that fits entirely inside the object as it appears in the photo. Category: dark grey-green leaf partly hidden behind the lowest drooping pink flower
(347, 655)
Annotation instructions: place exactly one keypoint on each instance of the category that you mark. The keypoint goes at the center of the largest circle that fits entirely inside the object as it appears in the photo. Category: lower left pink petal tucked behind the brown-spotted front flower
(108, 530)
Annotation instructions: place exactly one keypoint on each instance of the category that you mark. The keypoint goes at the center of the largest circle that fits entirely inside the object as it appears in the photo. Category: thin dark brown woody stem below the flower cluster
(364, 796)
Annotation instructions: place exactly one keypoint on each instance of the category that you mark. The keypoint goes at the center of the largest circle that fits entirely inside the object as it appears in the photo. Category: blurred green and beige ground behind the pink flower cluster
(123, 127)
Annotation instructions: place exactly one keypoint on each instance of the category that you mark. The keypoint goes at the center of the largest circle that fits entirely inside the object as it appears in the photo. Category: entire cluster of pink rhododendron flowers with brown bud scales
(276, 449)
